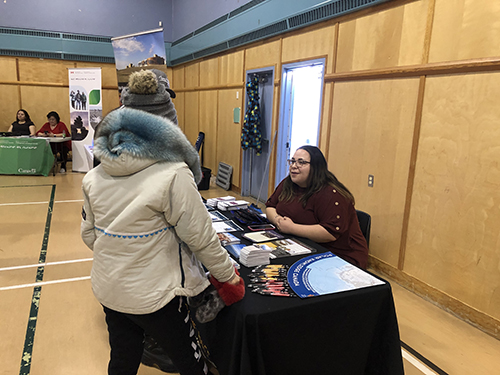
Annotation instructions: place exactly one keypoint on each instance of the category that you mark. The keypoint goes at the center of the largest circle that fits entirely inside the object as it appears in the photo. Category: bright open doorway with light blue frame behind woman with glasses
(300, 112)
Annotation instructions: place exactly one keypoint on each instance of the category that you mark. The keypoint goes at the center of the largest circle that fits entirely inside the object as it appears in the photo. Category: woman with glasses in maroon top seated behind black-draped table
(310, 202)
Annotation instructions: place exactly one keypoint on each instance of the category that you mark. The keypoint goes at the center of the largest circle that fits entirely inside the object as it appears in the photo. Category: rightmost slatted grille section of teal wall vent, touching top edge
(327, 11)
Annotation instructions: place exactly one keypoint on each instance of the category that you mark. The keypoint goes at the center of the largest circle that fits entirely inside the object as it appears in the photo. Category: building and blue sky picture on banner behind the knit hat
(144, 50)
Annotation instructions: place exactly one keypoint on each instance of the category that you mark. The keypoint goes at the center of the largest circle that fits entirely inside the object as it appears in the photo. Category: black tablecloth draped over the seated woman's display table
(346, 333)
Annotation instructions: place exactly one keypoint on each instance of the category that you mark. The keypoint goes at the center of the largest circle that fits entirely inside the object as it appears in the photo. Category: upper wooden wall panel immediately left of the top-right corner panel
(393, 37)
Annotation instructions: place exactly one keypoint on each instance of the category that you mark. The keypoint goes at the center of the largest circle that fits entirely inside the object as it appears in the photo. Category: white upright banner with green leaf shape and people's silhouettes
(85, 94)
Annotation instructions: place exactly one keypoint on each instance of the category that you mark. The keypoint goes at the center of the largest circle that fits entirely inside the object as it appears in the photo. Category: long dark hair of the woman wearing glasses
(319, 176)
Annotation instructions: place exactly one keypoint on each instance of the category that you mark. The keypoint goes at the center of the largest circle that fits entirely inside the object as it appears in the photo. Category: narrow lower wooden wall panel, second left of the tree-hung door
(208, 125)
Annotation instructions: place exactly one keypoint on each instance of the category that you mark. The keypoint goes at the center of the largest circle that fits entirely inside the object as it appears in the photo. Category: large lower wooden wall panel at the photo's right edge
(454, 238)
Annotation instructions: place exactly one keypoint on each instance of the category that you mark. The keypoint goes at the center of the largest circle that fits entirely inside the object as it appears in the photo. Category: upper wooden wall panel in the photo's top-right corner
(465, 29)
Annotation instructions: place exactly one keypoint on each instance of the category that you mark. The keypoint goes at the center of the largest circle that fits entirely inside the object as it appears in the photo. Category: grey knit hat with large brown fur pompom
(149, 90)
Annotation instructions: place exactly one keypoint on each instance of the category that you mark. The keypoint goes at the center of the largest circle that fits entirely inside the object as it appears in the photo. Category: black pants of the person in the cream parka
(170, 327)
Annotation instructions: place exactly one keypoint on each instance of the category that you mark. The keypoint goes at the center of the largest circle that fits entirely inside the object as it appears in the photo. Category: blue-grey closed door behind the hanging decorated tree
(255, 168)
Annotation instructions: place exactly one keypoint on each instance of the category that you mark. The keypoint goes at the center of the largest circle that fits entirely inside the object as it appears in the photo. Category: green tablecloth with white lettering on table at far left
(25, 156)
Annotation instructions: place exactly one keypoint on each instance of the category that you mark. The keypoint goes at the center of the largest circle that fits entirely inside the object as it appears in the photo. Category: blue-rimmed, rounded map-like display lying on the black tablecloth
(326, 273)
